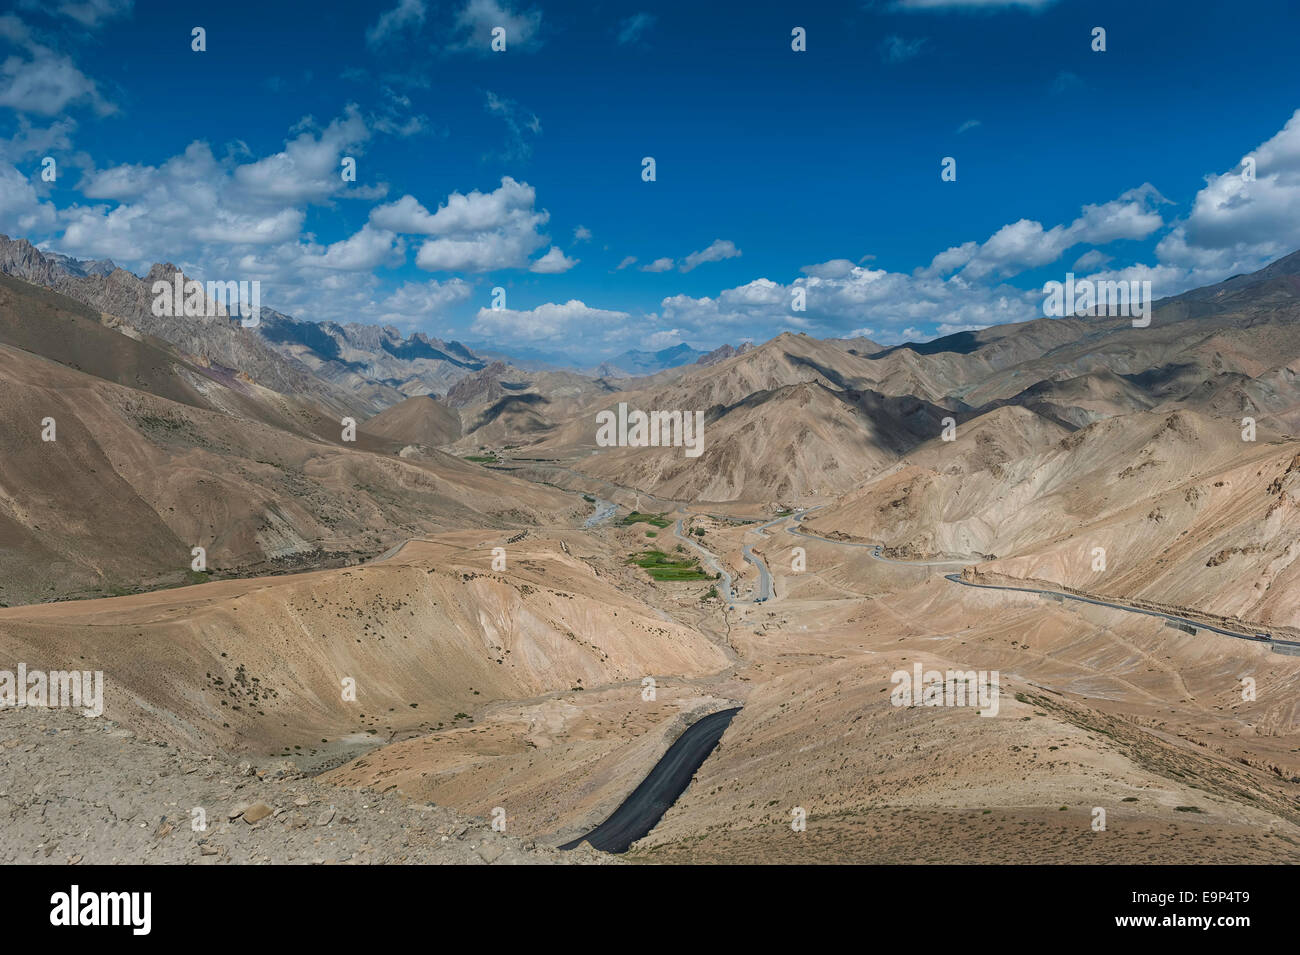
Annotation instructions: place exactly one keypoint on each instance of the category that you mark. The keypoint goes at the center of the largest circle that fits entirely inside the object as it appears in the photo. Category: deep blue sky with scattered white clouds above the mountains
(775, 170)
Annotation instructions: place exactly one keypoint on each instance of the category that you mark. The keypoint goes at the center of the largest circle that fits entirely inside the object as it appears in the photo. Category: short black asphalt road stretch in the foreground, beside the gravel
(642, 811)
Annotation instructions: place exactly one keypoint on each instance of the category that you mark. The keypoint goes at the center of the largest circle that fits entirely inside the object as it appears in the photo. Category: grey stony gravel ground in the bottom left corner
(86, 791)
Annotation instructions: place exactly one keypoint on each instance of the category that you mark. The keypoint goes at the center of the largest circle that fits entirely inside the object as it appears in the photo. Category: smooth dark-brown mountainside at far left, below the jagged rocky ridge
(153, 457)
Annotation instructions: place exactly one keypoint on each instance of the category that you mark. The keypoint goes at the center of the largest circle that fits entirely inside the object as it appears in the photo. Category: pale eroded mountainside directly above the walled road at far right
(1188, 513)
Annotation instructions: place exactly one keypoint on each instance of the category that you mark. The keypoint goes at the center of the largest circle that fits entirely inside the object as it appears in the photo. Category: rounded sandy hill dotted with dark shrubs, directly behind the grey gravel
(428, 637)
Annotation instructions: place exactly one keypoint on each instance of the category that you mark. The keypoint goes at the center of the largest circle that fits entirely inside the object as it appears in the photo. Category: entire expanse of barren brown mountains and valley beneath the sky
(447, 529)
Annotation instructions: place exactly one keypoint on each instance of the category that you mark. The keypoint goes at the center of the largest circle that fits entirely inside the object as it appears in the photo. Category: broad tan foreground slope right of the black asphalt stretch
(1098, 709)
